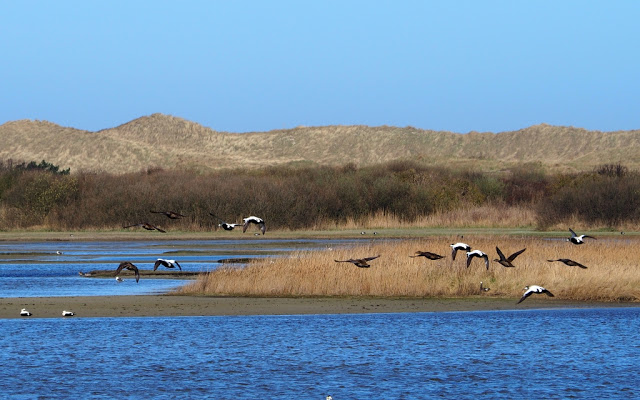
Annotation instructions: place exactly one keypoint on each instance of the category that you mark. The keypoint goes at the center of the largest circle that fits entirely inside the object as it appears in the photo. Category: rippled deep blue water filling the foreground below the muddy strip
(555, 354)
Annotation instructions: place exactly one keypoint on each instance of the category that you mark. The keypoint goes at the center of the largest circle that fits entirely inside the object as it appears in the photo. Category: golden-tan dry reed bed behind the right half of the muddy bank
(613, 274)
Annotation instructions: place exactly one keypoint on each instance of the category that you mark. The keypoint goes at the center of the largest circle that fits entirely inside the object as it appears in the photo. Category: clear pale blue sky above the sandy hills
(243, 66)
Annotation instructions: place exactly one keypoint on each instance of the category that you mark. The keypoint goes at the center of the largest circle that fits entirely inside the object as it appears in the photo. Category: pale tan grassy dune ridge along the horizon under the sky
(169, 142)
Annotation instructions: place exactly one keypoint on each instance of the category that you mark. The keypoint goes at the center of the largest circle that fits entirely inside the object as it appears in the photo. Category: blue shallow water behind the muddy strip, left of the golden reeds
(34, 269)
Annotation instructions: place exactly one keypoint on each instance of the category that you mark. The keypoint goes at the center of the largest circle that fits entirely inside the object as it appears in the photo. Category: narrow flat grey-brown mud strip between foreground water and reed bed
(178, 305)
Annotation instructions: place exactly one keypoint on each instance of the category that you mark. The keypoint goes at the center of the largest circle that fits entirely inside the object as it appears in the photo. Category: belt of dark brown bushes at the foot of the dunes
(312, 197)
